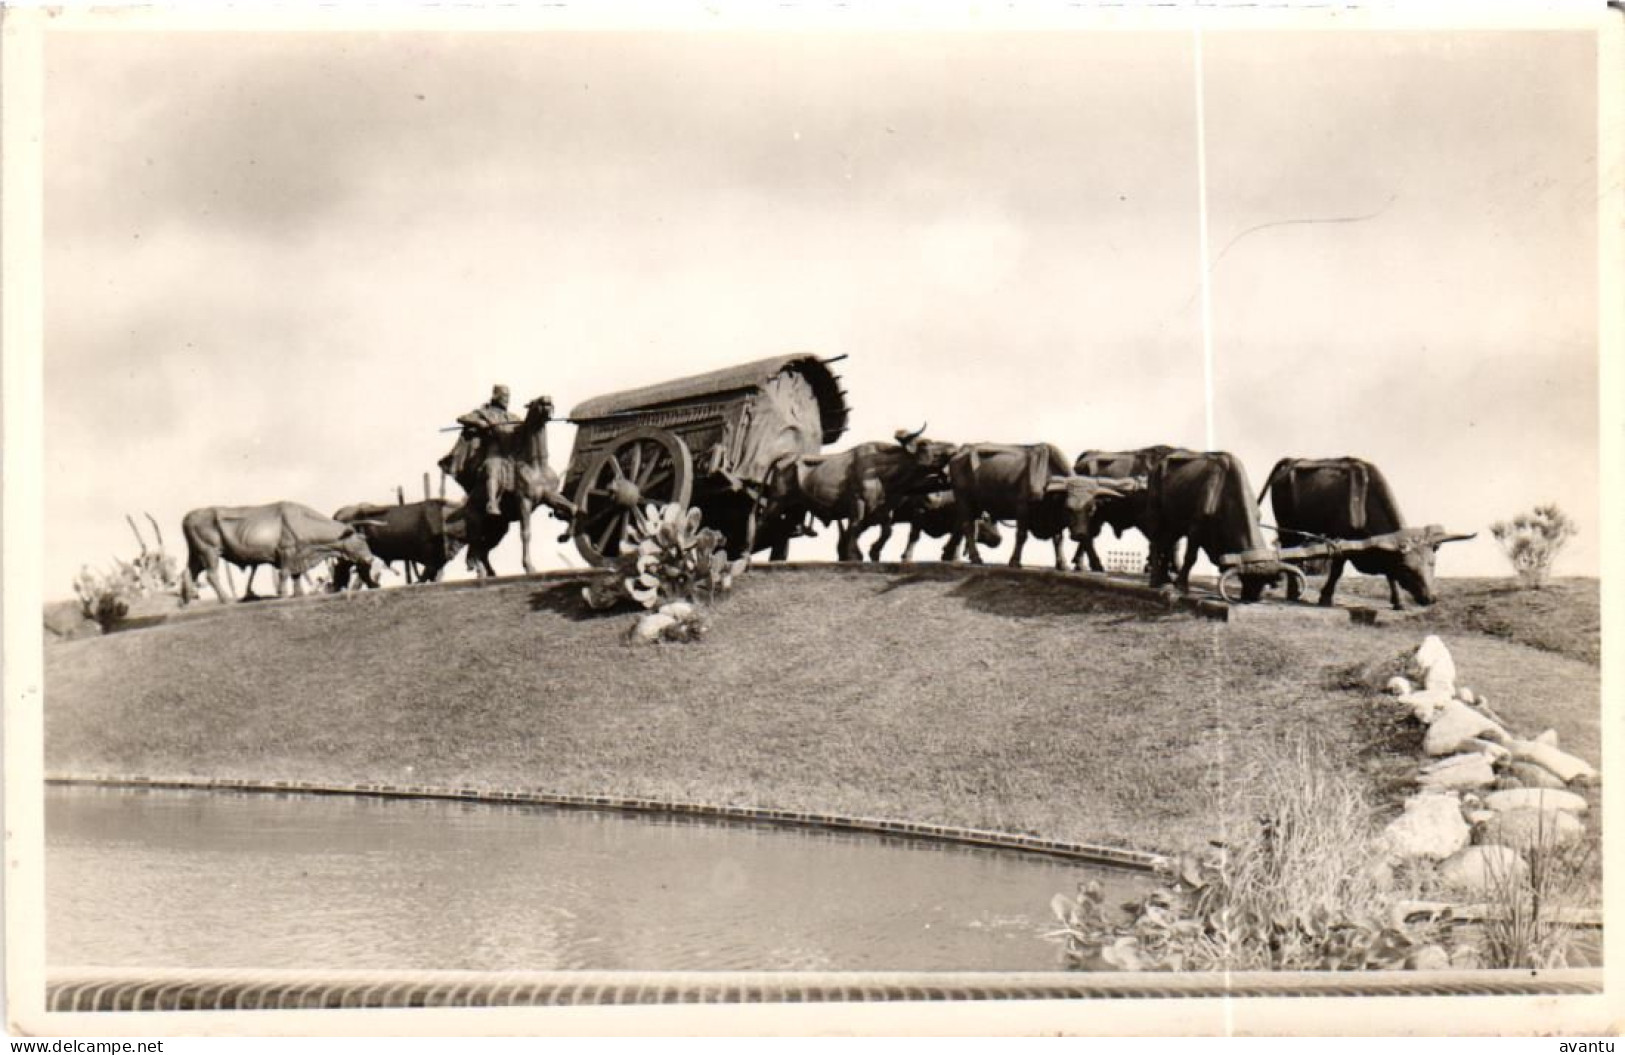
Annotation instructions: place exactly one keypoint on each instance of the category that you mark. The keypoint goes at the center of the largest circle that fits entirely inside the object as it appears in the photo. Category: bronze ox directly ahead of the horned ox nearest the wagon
(1031, 485)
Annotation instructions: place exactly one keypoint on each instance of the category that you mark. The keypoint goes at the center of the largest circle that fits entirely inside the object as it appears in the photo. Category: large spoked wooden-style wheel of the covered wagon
(641, 466)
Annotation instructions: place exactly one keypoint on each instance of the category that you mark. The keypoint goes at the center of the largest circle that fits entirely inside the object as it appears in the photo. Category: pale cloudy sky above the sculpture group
(275, 266)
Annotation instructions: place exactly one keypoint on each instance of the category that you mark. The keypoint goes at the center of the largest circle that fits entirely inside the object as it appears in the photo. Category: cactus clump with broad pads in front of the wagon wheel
(667, 557)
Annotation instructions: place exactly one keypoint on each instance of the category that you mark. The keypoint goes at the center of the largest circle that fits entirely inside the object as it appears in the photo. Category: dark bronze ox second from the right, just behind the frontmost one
(1207, 500)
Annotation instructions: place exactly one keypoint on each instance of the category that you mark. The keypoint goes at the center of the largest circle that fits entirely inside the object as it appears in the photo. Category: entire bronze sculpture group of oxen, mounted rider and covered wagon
(745, 446)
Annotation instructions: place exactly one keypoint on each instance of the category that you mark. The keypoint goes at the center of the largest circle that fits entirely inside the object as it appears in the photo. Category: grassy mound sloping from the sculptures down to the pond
(990, 700)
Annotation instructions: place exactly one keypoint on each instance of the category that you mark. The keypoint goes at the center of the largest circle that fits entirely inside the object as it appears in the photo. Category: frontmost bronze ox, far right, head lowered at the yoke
(1350, 500)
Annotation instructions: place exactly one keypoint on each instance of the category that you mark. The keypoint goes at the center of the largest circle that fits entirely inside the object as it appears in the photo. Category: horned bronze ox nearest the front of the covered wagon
(859, 488)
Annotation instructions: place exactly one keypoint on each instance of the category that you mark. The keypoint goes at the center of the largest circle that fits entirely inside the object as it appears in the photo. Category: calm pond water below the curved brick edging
(235, 880)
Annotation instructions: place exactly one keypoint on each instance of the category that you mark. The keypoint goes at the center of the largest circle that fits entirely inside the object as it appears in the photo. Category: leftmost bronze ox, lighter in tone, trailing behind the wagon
(287, 536)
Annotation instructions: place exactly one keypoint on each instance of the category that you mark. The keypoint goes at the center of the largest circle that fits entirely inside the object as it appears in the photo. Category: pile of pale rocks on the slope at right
(1488, 796)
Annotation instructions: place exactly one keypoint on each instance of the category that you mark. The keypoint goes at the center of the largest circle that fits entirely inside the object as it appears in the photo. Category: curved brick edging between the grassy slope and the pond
(1085, 853)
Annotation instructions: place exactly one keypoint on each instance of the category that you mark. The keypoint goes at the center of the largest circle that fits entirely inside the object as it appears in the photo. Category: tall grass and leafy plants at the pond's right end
(1296, 892)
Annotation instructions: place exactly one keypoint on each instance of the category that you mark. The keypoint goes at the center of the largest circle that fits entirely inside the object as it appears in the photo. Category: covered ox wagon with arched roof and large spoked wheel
(704, 441)
